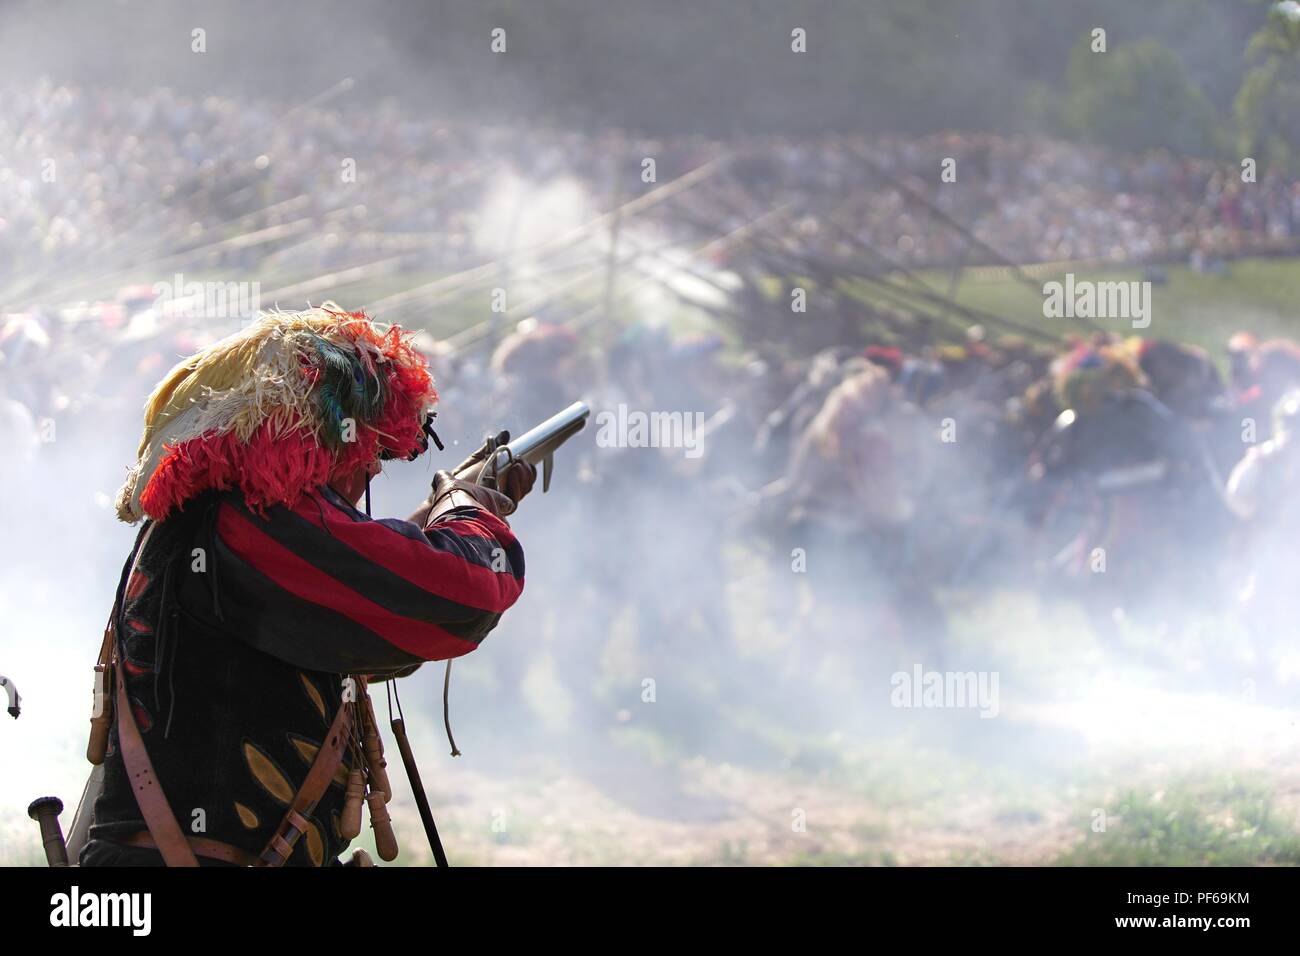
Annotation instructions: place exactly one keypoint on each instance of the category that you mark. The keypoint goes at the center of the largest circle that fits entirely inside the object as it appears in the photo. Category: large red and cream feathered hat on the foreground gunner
(287, 405)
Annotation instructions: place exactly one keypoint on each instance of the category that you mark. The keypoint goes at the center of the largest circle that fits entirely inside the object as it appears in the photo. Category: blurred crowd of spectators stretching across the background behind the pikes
(84, 170)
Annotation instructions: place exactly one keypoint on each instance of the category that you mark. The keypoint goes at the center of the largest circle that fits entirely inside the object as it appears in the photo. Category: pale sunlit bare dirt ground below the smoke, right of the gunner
(1025, 799)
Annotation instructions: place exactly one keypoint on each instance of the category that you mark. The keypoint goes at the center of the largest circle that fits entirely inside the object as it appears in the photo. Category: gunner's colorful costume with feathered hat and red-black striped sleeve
(259, 592)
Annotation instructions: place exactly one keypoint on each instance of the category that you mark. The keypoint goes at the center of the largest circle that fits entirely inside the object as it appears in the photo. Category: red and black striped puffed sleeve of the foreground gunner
(326, 587)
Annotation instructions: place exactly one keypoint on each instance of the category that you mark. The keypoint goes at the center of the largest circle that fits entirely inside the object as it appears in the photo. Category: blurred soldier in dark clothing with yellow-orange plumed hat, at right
(1121, 475)
